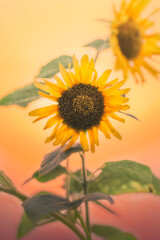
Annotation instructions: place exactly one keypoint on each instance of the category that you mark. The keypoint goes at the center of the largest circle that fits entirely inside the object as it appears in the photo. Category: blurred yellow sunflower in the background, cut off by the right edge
(131, 40)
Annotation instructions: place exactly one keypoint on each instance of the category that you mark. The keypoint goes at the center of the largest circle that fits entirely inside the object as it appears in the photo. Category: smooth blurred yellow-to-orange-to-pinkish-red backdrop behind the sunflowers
(32, 34)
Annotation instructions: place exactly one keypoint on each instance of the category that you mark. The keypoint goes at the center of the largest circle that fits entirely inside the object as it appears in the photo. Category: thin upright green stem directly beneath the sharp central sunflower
(85, 188)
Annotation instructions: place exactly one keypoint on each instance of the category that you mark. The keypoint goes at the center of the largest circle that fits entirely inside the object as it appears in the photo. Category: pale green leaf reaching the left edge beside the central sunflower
(21, 97)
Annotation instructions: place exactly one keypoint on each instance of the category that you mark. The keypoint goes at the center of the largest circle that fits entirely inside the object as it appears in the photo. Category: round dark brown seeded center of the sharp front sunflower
(81, 106)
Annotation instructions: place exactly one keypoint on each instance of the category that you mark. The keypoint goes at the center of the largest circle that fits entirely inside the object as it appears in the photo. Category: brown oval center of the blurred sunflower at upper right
(130, 40)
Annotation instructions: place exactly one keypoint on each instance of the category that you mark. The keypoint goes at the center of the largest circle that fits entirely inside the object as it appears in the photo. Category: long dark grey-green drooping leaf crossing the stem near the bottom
(40, 206)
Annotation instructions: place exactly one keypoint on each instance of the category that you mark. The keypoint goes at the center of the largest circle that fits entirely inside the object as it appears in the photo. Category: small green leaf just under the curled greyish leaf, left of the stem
(56, 172)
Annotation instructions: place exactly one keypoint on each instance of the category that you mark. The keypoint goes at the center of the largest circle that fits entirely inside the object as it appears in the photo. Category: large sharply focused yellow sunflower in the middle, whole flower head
(82, 105)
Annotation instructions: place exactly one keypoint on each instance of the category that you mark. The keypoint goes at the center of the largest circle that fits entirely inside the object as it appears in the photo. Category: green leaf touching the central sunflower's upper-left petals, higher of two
(49, 70)
